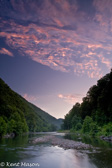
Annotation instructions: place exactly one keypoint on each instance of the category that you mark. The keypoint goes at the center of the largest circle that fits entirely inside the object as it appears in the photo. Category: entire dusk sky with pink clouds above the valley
(53, 51)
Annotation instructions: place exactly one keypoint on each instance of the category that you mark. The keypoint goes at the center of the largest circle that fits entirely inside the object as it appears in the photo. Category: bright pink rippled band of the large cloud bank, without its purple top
(60, 58)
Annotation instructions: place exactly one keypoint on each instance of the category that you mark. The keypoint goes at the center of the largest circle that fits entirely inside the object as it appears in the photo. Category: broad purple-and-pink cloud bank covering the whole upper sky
(60, 35)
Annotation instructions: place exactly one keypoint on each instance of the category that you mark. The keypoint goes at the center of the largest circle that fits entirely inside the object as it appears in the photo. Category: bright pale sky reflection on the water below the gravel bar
(55, 157)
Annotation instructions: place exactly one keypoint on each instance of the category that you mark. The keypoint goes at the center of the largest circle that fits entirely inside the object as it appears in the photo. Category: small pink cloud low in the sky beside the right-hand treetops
(71, 99)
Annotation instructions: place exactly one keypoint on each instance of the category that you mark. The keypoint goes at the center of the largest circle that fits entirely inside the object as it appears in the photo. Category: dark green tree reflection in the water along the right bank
(102, 157)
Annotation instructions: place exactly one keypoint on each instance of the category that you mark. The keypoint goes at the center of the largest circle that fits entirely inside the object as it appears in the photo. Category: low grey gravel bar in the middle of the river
(64, 143)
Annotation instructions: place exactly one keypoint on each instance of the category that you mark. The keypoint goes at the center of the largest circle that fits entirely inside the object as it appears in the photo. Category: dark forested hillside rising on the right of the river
(94, 114)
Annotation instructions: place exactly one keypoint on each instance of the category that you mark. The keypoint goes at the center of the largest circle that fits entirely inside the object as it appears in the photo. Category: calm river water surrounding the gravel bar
(20, 152)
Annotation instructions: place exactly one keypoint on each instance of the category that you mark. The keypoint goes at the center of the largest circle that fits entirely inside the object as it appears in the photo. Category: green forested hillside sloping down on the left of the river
(17, 115)
